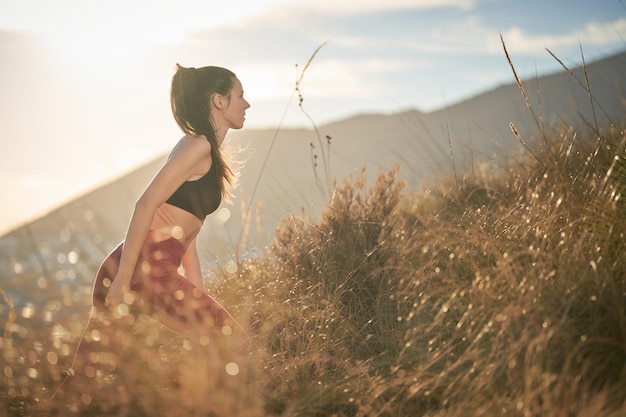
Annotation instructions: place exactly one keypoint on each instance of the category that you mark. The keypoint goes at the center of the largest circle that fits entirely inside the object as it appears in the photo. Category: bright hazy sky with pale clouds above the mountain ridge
(84, 85)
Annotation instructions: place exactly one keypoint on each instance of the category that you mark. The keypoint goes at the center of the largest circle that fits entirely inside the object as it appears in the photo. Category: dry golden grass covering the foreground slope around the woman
(493, 294)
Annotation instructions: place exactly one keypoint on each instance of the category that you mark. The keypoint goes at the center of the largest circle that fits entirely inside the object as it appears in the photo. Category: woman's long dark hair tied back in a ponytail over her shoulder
(190, 98)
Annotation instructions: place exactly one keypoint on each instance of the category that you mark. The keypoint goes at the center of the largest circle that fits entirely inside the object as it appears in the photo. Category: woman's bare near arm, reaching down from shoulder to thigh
(188, 159)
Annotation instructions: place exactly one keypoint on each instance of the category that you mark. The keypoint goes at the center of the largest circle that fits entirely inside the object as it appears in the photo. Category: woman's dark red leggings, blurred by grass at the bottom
(161, 292)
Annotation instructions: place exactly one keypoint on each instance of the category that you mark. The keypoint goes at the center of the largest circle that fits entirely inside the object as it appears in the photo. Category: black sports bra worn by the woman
(199, 197)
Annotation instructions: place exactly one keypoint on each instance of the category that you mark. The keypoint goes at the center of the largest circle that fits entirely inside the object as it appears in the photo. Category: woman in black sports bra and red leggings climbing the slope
(142, 275)
